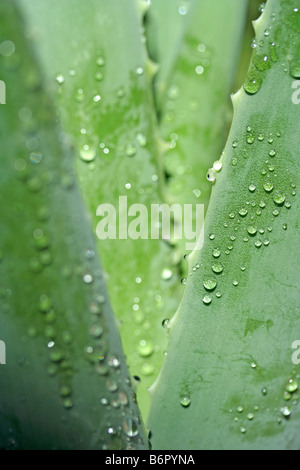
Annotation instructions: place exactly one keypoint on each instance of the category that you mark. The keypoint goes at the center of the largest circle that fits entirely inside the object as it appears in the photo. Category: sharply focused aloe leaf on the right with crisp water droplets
(228, 380)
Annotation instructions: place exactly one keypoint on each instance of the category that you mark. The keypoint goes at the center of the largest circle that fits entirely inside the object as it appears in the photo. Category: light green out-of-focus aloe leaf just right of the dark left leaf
(101, 79)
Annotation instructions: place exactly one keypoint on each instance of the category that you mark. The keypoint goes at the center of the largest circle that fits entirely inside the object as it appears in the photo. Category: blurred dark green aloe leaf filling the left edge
(65, 384)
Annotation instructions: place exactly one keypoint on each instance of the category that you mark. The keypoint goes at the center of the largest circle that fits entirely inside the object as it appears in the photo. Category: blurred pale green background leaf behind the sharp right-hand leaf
(196, 110)
